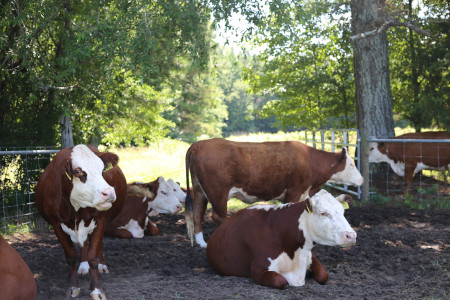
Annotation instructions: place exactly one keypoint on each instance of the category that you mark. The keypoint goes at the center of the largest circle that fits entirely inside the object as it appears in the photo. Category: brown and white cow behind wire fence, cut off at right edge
(407, 159)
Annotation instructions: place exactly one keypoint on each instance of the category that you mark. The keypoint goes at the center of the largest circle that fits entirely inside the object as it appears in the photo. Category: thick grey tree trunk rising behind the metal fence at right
(372, 84)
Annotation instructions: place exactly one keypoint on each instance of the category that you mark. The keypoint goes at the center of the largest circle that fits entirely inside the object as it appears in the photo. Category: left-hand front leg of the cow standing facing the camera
(71, 257)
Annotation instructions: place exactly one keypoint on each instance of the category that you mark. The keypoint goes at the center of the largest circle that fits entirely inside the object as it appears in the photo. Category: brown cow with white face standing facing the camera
(73, 194)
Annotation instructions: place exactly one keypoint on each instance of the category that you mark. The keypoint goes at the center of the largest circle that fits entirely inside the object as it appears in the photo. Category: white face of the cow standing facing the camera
(87, 194)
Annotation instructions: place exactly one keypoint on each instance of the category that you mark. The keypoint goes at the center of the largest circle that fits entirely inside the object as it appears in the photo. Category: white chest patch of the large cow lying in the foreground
(294, 270)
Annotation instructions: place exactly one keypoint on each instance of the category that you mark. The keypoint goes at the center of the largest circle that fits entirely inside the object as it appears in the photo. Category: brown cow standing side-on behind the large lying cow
(287, 171)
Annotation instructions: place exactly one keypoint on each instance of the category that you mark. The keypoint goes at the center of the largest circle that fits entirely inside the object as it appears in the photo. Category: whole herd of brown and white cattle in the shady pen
(84, 195)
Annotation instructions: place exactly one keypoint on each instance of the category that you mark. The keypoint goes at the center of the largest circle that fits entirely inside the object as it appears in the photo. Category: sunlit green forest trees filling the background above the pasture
(131, 72)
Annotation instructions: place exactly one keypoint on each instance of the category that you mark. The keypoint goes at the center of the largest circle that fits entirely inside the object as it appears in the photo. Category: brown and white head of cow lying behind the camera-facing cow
(159, 195)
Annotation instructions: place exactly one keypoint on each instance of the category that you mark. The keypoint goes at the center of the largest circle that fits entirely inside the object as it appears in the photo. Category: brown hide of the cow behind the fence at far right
(431, 154)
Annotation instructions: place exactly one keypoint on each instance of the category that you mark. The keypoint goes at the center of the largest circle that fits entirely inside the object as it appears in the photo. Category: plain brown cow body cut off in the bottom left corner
(16, 279)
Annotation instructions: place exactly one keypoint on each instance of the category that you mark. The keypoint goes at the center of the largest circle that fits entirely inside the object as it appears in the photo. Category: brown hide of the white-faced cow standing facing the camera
(52, 200)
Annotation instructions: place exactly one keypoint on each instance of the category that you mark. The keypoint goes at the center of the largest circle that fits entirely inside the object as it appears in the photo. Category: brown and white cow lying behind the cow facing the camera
(132, 221)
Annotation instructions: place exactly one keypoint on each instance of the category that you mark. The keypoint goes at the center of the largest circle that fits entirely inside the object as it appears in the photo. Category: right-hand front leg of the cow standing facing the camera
(94, 252)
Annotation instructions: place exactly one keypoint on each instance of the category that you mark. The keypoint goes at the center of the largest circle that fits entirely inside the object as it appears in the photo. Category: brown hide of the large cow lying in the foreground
(243, 243)
